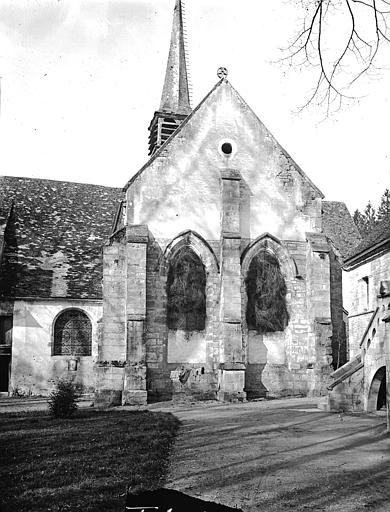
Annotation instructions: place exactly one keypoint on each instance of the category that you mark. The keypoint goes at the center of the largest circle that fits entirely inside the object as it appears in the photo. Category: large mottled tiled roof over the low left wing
(53, 237)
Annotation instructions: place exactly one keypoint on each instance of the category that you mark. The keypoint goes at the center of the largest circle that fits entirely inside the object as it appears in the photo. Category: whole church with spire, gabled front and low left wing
(214, 274)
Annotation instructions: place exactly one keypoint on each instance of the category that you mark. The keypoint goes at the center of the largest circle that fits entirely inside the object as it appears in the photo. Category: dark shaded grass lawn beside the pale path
(83, 463)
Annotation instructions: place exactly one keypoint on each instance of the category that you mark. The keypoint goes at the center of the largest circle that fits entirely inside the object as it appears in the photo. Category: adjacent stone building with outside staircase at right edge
(361, 383)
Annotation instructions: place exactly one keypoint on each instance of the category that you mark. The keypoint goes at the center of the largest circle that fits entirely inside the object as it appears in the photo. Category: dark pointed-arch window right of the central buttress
(266, 291)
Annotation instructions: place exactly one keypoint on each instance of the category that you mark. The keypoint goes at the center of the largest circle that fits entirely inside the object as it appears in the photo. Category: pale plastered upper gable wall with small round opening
(180, 189)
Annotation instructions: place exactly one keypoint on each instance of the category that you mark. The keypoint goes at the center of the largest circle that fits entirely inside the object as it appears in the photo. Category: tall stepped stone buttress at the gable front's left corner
(121, 368)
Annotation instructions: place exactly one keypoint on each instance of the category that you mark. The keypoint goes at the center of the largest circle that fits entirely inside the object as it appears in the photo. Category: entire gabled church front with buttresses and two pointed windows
(219, 194)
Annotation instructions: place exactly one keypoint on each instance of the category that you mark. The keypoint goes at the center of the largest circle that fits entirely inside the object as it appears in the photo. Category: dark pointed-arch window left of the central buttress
(186, 292)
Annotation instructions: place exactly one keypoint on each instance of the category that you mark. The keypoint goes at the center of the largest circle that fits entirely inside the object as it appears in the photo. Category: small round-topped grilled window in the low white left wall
(72, 334)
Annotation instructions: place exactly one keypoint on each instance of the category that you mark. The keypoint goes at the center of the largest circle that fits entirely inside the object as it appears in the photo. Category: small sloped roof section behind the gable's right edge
(339, 227)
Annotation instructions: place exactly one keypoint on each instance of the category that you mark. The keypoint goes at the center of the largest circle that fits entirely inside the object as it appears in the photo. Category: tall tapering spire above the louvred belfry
(175, 96)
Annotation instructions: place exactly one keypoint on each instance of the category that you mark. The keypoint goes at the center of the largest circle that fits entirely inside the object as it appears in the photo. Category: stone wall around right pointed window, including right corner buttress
(297, 360)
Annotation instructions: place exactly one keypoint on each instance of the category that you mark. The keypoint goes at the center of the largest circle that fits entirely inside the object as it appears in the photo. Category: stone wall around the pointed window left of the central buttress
(191, 368)
